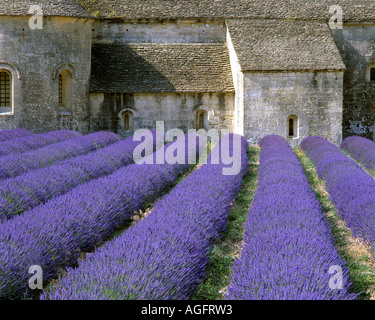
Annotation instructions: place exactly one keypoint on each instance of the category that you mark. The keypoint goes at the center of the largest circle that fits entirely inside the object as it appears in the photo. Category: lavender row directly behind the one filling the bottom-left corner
(38, 186)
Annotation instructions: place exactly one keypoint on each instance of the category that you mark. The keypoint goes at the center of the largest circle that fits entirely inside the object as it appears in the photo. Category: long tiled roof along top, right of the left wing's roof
(354, 10)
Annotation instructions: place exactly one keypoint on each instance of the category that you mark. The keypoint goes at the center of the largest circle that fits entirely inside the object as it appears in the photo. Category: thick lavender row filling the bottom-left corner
(55, 234)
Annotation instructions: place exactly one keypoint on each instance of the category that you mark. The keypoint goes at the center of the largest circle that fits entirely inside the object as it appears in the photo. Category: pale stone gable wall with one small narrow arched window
(315, 98)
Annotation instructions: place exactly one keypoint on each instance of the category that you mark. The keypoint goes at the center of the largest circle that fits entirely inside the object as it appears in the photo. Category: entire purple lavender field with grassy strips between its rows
(101, 226)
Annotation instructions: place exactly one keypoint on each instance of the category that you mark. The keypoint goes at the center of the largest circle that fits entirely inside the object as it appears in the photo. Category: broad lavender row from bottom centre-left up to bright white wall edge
(165, 255)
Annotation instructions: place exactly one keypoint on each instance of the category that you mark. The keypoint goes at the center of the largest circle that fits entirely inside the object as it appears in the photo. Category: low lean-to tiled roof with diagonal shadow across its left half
(158, 68)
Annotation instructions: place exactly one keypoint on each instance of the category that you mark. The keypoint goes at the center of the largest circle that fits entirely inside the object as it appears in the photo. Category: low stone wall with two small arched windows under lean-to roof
(177, 110)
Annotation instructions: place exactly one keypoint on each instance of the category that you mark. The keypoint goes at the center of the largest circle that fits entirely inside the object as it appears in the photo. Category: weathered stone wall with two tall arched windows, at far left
(35, 58)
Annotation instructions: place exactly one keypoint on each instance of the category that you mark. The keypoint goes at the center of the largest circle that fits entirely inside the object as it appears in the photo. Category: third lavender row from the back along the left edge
(14, 165)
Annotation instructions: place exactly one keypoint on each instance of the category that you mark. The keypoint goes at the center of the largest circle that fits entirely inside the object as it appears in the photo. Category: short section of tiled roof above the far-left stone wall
(63, 8)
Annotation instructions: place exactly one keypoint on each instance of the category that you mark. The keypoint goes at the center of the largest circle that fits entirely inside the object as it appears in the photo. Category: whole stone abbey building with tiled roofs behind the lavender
(256, 67)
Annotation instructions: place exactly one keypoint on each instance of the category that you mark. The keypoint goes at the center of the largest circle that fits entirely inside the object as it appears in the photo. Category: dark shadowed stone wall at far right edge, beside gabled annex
(356, 43)
